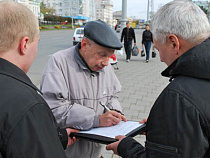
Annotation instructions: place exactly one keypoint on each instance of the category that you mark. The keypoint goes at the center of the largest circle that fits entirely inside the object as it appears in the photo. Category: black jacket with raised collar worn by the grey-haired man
(179, 122)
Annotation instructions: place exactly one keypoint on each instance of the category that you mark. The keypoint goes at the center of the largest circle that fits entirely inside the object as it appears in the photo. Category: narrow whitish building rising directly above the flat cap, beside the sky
(104, 11)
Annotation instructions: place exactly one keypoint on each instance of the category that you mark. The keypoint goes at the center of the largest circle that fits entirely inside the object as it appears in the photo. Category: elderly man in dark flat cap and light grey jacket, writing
(77, 79)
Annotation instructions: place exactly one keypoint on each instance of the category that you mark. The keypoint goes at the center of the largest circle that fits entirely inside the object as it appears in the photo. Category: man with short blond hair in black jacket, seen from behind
(27, 126)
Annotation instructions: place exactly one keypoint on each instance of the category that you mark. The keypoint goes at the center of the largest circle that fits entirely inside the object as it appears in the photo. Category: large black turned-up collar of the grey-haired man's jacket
(193, 63)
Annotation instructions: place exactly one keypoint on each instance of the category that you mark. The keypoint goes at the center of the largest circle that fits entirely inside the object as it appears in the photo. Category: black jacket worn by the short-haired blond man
(27, 125)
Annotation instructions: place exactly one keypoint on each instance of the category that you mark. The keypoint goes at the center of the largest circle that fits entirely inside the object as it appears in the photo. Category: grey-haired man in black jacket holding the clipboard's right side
(178, 125)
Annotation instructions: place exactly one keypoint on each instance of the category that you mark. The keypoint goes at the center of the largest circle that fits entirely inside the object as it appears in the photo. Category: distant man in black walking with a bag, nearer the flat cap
(128, 34)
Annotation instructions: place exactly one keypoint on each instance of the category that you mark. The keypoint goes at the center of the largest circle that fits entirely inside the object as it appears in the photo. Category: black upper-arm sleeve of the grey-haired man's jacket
(175, 127)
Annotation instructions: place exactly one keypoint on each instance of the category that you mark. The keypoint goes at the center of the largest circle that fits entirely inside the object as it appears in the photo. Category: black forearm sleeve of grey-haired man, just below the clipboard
(129, 148)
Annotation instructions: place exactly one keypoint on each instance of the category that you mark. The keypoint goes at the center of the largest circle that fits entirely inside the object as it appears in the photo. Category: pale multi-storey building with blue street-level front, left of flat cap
(78, 9)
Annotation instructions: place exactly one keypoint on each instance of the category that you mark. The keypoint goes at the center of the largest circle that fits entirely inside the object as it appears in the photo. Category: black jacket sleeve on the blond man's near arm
(35, 135)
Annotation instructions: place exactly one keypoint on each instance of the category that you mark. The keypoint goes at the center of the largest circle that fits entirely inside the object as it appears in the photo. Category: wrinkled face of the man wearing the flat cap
(96, 56)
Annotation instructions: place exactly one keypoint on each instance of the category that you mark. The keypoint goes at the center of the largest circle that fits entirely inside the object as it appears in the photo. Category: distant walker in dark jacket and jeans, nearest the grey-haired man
(147, 41)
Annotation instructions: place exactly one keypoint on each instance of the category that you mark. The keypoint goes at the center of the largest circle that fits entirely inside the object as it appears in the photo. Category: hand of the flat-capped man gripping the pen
(110, 118)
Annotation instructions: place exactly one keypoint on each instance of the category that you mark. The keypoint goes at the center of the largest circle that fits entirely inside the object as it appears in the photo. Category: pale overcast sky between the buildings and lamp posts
(138, 8)
